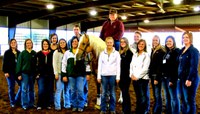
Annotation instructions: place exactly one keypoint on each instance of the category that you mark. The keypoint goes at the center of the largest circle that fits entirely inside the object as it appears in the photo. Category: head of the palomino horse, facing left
(83, 46)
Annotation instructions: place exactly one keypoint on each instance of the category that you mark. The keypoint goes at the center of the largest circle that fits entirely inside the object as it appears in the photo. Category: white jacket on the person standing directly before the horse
(109, 64)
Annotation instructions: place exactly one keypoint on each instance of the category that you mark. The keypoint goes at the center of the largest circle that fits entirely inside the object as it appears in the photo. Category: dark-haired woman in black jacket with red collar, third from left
(46, 75)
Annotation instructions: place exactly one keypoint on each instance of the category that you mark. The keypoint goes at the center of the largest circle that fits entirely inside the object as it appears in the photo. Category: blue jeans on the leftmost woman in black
(11, 90)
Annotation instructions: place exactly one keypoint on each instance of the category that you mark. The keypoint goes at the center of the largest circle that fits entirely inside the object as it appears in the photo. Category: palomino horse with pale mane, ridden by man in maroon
(94, 45)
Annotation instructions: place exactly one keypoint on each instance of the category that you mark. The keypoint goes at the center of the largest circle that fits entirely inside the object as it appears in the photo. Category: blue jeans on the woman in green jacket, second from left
(27, 94)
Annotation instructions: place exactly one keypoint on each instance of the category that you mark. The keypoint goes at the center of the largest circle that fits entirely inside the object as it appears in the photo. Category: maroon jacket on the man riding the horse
(115, 30)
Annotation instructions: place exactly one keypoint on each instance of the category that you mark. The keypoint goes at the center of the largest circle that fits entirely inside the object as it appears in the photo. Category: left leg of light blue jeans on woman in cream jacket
(59, 90)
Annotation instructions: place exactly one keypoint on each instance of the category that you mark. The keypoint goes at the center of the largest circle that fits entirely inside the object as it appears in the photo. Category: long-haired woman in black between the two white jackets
(125, 80)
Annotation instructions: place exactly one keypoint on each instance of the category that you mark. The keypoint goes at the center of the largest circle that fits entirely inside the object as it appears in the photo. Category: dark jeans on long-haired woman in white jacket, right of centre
(141, 88)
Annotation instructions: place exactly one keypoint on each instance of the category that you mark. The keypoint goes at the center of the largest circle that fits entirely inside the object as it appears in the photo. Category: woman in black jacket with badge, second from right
(170, 77)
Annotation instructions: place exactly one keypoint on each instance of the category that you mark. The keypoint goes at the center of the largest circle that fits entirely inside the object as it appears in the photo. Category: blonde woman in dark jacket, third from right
(155, 73)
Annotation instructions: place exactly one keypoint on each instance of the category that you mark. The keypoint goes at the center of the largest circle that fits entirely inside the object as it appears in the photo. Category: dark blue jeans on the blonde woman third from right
(157, 109)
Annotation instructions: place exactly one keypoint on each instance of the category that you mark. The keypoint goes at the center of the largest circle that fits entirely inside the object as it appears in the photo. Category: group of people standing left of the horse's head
(54, 63)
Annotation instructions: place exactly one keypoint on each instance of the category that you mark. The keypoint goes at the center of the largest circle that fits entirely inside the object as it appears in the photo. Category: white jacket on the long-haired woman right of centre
(140, 65)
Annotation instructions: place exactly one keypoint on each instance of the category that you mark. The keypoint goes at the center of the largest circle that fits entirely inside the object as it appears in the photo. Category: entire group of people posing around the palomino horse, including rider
(168, 67)
